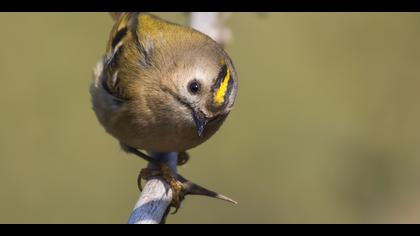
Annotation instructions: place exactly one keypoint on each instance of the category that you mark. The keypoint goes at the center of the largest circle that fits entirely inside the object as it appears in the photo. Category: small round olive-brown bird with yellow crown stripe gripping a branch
(162, 87)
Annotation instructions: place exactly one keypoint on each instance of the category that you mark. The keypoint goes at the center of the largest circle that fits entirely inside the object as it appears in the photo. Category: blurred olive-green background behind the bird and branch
(326, 127)
